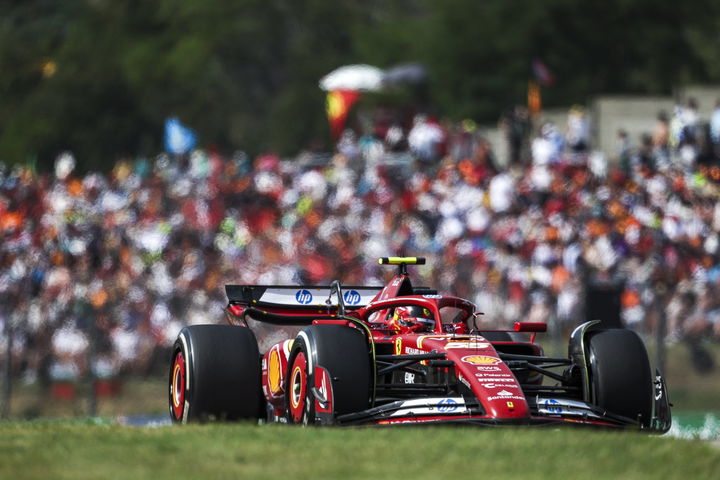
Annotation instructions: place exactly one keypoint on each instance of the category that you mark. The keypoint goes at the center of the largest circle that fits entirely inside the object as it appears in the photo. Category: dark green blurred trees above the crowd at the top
(100, 77)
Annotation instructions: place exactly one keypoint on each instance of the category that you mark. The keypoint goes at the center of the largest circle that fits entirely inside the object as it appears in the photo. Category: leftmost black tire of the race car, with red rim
(215, 374)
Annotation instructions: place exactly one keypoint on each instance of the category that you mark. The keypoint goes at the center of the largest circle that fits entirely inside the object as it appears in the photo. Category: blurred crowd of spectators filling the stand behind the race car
(98, 273)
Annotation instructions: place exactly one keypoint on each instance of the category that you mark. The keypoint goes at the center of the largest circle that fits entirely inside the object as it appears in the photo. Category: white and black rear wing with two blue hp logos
(299, 297)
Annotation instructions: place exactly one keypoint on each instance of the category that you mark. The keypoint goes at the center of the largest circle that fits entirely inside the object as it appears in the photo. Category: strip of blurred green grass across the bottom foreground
(63, 450)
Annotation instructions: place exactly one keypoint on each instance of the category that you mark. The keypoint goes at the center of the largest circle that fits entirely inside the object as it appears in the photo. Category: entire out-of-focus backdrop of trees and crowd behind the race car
(555, 161)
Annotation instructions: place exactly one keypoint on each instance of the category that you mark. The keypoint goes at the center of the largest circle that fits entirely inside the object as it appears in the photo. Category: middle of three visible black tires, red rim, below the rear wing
(343, 352)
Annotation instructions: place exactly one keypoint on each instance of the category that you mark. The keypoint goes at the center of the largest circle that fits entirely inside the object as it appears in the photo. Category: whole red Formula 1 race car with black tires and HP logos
(363, 355)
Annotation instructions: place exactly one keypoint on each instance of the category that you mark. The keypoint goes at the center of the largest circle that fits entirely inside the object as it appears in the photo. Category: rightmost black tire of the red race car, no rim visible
(620, 375)
